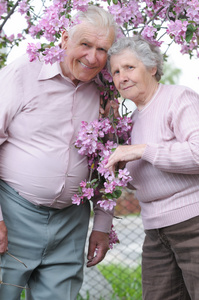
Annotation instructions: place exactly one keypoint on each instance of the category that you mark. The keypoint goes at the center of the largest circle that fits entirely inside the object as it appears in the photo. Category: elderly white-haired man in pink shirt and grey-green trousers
(42, 107)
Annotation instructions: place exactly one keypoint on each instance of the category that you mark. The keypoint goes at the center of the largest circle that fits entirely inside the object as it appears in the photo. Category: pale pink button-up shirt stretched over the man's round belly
(40, 115)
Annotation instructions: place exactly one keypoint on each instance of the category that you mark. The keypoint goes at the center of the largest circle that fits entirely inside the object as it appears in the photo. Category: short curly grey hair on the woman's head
(148, 53)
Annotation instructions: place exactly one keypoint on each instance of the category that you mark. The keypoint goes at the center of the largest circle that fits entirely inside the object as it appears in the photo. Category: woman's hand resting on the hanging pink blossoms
(124, 154)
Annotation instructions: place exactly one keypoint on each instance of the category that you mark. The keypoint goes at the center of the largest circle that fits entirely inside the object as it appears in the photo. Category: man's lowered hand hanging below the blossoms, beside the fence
(98, 246)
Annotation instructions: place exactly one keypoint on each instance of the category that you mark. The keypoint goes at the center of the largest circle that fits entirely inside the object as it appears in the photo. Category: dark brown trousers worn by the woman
(170, 262)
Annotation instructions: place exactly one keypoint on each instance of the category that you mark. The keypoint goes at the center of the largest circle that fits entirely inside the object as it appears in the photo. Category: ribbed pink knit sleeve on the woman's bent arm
(181, 153)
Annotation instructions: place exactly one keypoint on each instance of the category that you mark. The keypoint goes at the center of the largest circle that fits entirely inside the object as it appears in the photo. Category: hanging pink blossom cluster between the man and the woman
(94, 141)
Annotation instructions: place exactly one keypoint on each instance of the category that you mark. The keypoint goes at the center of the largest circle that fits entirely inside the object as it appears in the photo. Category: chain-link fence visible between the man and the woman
(118, 276)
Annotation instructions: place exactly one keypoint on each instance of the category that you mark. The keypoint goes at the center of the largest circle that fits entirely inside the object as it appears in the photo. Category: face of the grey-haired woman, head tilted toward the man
(131, 78)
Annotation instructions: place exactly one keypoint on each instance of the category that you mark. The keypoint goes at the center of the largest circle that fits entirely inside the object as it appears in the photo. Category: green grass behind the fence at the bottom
(126, 282)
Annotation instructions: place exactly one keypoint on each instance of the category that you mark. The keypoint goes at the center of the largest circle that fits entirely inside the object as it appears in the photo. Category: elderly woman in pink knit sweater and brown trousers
(164, 163)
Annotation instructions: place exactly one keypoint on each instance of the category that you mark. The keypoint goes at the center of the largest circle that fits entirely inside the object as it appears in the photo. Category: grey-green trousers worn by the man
(49, 241)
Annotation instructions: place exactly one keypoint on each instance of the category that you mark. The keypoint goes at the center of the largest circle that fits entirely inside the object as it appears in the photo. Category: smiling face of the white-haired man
(86, 52)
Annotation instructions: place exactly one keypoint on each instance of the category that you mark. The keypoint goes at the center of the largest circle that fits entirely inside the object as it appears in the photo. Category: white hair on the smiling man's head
(96, 17)
